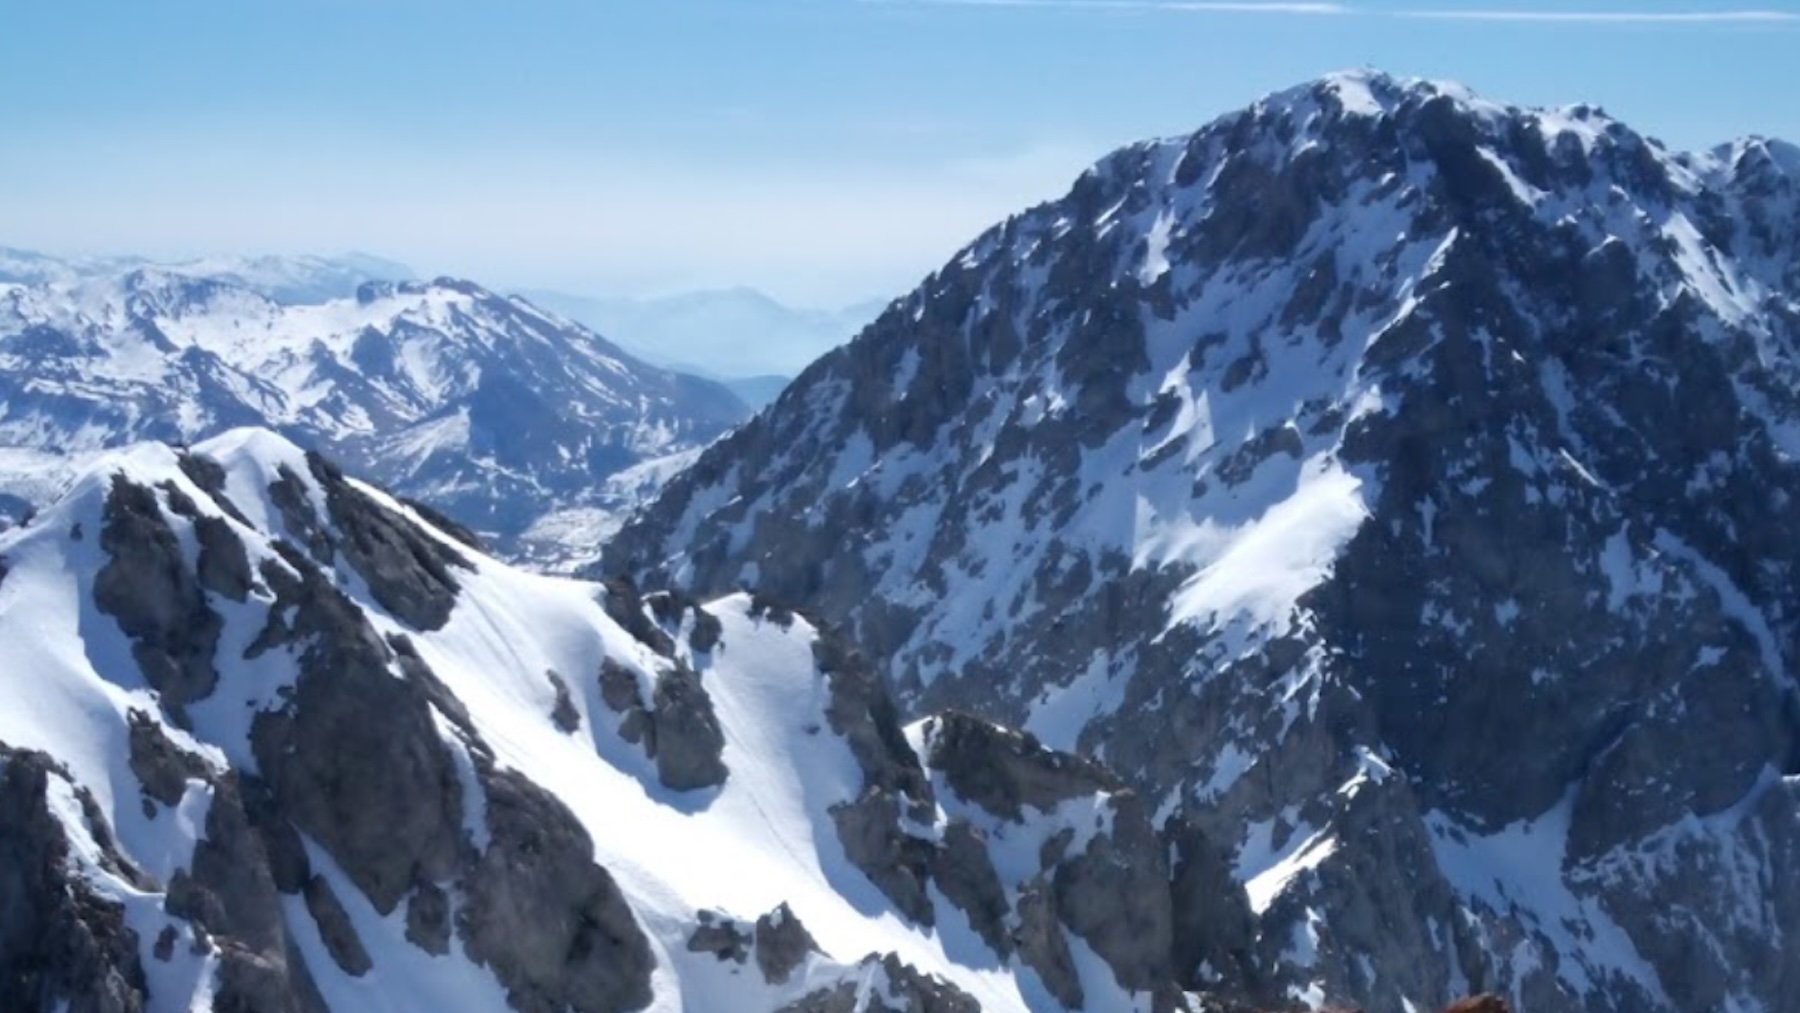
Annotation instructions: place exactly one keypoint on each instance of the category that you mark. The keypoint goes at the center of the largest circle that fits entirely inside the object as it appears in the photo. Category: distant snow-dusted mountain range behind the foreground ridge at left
(507, 418)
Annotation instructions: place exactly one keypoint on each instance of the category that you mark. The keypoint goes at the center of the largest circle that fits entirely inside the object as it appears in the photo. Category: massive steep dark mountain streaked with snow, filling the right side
(1387, 483)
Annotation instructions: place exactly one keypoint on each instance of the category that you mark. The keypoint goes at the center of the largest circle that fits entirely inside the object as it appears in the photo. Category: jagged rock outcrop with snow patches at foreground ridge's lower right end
(1081, 857)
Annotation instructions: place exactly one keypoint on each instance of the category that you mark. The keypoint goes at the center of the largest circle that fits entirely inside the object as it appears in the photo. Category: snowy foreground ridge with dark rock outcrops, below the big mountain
(289, 722)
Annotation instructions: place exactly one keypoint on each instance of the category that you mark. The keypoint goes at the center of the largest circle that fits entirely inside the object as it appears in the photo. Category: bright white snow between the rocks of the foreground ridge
(760, 841)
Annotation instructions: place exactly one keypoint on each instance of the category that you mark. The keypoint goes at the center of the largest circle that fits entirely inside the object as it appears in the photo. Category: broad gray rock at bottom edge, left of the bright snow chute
(550, 922)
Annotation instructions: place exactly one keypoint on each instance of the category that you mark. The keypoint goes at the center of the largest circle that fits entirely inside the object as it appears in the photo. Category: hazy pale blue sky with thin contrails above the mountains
(822, 150)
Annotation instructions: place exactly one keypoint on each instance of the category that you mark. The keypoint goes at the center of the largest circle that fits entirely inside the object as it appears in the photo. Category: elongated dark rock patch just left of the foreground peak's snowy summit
(148, 589)
